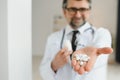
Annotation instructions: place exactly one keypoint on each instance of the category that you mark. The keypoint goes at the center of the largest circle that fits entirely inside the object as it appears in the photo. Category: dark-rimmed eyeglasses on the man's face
(73, 10)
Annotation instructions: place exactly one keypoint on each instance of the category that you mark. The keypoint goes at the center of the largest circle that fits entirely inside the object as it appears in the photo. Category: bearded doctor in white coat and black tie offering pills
(57, 63)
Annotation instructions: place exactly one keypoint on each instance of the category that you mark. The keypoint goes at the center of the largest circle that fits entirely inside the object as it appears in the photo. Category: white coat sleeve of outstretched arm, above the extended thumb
(102, 38)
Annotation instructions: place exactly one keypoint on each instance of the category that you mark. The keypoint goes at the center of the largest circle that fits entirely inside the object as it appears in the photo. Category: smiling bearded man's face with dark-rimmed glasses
(77, 12)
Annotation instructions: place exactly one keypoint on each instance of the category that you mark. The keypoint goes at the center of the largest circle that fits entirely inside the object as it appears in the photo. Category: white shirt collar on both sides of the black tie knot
(81, 29)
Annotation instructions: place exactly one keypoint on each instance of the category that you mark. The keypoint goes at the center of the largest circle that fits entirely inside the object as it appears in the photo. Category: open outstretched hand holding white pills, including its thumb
(93, 53)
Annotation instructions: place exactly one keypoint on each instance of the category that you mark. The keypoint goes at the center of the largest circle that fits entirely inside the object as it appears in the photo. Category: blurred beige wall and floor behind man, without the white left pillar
(48, 17)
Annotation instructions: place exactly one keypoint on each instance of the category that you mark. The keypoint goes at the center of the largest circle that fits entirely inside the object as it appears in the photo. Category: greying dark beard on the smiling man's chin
(77, 22)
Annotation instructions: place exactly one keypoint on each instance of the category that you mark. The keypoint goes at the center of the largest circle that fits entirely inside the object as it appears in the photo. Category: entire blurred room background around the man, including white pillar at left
(26, 24)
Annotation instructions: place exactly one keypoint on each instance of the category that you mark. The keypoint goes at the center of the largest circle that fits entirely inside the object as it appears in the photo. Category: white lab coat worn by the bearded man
(89, 36)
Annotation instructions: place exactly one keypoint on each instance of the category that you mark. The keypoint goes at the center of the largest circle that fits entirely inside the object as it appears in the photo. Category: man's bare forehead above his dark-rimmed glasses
(78, 3)
